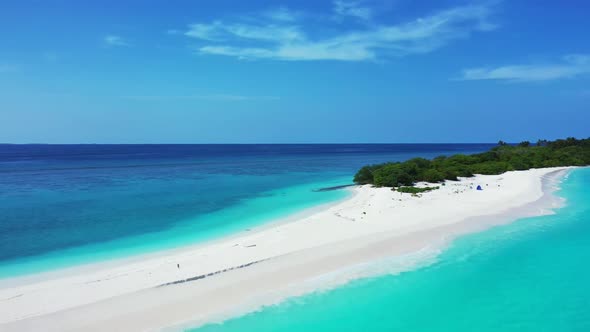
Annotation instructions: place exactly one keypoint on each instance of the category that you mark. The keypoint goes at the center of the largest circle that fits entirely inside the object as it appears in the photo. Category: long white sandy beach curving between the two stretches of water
(263, 266)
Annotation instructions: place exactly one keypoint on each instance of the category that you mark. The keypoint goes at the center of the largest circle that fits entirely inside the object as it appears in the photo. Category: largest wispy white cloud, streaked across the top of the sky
(285, 37)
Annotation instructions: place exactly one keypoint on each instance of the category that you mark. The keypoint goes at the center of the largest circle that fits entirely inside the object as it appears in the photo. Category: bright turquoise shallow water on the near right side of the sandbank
(531, 275)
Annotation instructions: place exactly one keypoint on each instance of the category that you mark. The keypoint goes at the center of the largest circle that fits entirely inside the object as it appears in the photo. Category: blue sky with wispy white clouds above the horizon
(294, 71)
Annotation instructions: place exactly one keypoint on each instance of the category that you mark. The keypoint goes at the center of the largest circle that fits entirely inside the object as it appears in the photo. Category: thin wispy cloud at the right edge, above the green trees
(568, 67)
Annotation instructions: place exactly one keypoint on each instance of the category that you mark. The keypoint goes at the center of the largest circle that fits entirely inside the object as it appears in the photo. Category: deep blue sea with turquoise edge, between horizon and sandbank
(65, 205)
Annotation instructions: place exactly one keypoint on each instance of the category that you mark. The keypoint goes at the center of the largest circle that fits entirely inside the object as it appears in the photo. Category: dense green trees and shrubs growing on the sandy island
(500, 159)
